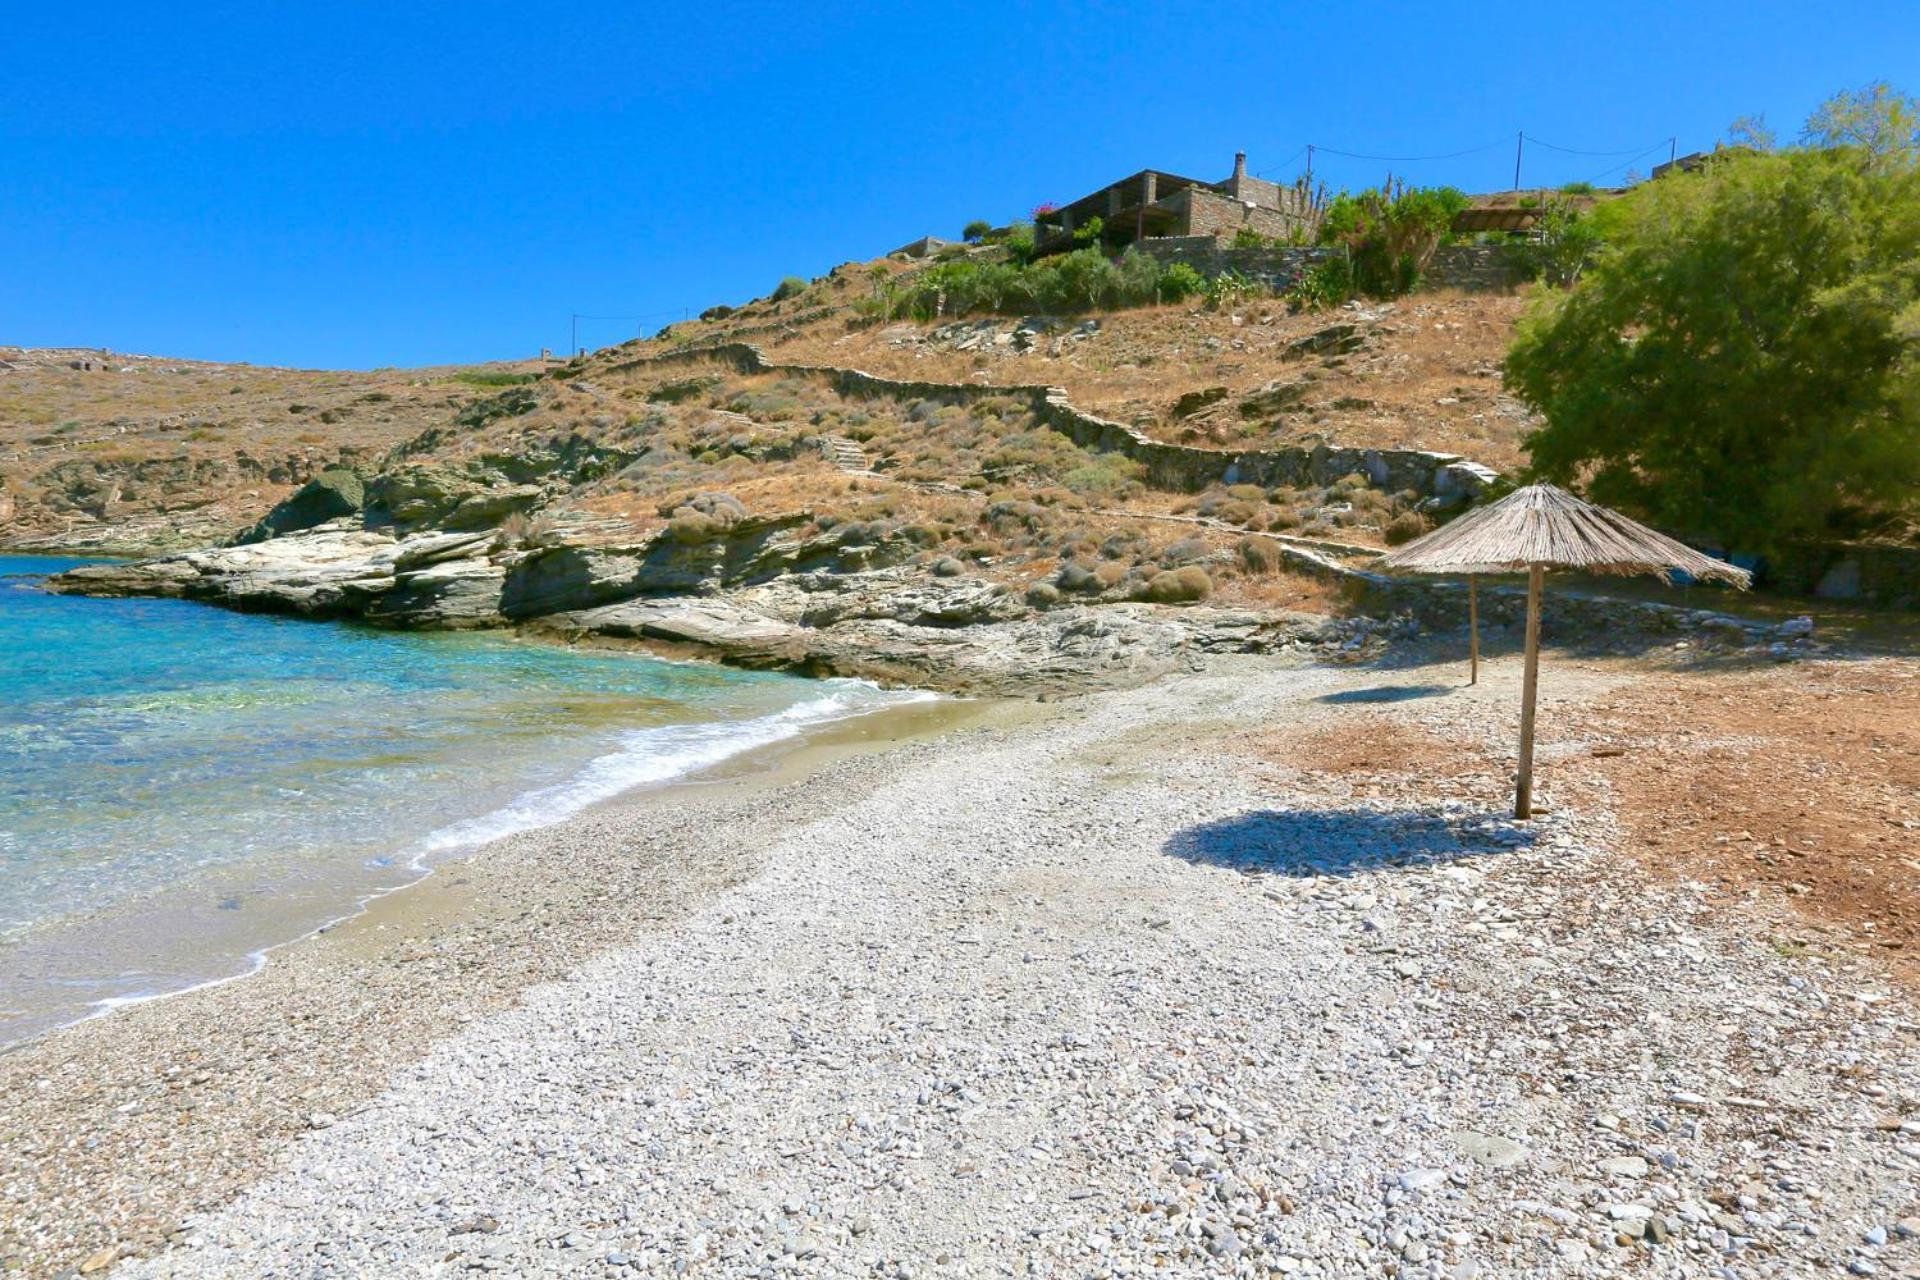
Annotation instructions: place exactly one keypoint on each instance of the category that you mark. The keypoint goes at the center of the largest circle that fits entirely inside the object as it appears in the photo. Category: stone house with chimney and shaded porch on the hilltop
(1155, 204)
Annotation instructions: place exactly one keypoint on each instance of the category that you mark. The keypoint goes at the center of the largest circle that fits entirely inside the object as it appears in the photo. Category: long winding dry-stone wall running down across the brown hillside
(1170, 467)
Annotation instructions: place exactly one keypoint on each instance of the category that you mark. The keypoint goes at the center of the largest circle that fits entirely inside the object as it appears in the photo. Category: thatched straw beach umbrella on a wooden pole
(1539, 529)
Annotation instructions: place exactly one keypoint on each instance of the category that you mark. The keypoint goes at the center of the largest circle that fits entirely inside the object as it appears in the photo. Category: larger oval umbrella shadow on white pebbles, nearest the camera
(1310, 843)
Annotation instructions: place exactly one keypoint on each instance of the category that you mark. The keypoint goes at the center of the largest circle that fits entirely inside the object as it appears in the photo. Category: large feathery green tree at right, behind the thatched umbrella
(1742, 360)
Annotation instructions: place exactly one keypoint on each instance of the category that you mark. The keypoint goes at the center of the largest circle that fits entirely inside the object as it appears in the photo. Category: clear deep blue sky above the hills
(358, 185)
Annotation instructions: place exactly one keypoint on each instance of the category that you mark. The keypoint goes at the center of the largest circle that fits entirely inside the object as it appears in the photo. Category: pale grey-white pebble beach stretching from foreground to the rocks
(1109, 987)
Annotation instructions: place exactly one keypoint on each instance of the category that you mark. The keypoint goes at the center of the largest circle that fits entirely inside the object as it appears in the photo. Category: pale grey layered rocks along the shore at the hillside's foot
(761, 592)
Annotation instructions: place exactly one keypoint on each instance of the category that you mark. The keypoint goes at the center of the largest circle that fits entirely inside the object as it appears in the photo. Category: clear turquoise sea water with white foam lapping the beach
(183, 786)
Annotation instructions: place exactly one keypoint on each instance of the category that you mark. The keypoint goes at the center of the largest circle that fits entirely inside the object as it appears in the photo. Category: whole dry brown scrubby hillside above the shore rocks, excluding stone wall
(137, 452)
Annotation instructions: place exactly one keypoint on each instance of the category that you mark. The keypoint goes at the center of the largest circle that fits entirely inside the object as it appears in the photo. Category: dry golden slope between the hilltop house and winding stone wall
(1422, 373)
